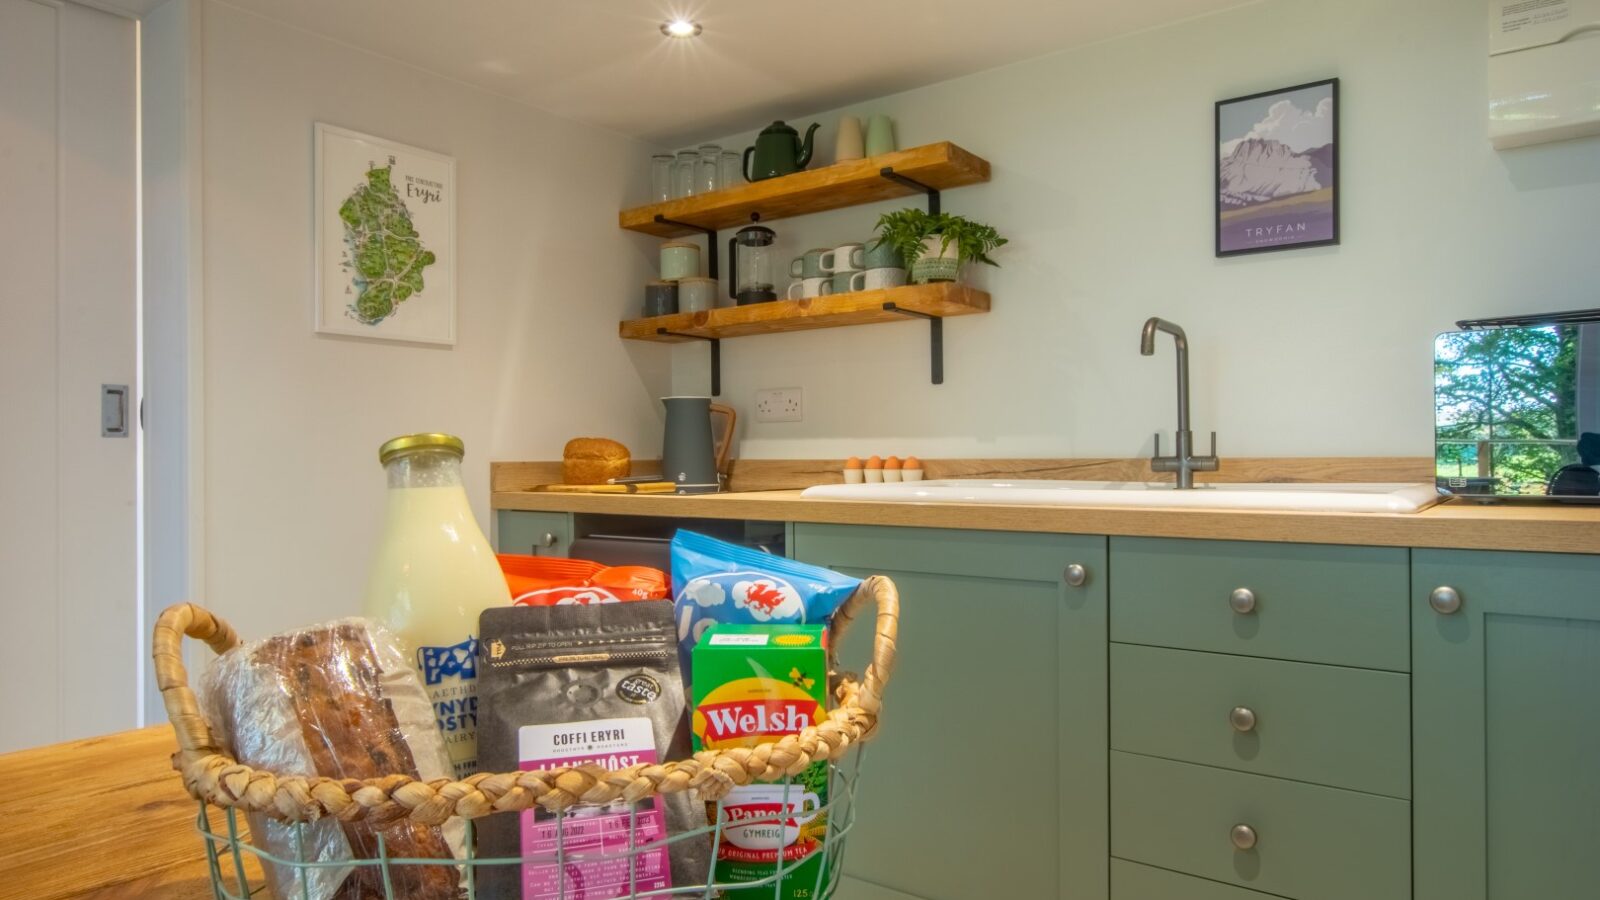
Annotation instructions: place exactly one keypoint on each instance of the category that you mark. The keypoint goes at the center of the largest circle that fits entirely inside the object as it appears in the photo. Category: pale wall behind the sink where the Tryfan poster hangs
(1103, 180)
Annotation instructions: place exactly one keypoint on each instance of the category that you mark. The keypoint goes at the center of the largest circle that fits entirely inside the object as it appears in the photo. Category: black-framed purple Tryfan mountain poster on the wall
(1278, 169)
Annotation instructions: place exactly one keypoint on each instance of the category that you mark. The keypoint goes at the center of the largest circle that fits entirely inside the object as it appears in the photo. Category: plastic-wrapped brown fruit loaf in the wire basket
(338, 701)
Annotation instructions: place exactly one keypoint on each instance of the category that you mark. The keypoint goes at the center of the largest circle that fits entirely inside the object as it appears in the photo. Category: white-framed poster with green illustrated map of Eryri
(386, 239)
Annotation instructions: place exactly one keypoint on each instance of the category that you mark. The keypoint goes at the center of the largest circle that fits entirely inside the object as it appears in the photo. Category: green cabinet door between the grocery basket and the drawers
(990, 774)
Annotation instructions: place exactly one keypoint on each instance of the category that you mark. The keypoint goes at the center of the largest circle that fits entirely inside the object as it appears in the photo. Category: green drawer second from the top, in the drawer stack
(1311, 723)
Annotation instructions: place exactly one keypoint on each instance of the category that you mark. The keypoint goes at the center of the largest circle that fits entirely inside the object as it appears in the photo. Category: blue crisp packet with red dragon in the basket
(719, 582)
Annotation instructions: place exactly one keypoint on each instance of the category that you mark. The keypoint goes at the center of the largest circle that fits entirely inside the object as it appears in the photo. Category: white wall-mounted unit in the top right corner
(1545, 71)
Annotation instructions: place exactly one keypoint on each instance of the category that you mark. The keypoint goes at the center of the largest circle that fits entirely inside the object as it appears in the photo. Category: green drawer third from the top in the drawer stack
(1313, 843)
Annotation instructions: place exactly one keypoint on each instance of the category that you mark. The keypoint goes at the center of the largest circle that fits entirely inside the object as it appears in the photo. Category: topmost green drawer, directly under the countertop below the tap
(1311, 603)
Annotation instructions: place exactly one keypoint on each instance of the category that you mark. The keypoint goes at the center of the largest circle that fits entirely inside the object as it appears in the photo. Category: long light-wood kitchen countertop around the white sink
(1452, 524)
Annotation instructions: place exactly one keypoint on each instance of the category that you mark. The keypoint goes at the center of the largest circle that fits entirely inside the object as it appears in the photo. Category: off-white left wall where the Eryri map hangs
(294, 420)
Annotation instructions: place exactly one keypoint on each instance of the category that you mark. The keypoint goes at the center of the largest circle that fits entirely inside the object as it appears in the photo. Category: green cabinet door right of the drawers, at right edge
(1506, 726)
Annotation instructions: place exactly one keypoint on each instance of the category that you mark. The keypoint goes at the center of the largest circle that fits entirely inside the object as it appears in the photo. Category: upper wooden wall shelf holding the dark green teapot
(812, 191)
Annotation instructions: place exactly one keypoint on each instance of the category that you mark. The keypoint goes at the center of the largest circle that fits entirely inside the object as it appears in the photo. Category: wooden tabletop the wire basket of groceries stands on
(103, 819)
